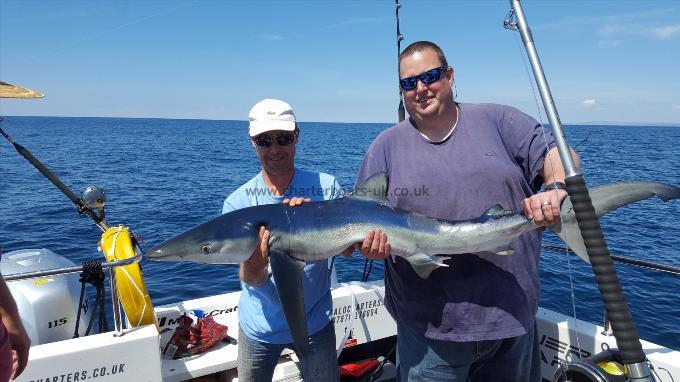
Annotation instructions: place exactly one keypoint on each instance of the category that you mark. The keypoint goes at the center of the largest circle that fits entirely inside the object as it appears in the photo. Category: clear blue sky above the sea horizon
(606, 61)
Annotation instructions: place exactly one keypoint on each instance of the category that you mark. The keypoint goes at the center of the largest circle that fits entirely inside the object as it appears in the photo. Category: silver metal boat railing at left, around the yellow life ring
(110, 265)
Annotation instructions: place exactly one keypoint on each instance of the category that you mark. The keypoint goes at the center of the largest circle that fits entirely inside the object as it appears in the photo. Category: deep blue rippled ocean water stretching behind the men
(164, 176)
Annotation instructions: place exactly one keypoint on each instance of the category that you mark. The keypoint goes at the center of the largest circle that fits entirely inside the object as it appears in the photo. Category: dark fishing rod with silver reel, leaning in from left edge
(93, 198)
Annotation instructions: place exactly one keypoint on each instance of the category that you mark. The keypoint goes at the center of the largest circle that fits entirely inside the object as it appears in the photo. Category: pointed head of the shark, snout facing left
(227, 239)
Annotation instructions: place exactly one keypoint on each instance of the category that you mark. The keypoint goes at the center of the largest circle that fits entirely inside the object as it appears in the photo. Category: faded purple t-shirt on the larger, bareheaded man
(494, 156)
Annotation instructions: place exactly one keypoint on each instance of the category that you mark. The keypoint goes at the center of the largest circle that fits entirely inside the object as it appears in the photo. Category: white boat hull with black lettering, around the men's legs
(135, 356)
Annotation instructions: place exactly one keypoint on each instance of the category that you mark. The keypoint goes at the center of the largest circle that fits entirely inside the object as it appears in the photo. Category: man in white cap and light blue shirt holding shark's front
(264, 331)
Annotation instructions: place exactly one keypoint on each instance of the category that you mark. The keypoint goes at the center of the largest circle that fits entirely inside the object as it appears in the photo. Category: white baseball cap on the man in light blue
(270, 114)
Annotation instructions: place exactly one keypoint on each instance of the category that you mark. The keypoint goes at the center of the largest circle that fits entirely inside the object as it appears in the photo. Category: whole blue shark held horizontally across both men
(319, 230)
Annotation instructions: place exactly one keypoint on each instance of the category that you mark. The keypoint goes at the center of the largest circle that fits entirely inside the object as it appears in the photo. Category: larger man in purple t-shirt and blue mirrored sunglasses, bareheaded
(474, 320)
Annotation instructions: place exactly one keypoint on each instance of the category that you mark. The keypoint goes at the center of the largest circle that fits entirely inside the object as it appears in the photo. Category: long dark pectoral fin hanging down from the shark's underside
(287, 273)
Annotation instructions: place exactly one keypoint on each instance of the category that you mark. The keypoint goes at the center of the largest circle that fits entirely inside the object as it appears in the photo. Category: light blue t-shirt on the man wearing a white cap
(260, 313)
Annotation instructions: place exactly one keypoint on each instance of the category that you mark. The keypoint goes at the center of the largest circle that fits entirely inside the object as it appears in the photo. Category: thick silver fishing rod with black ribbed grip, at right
(617, 310)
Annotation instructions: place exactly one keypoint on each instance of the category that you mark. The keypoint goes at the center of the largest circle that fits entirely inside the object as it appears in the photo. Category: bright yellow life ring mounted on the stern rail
(116, 244)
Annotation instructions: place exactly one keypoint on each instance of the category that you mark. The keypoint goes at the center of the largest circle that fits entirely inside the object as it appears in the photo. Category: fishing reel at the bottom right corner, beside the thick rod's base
(605, 366)
